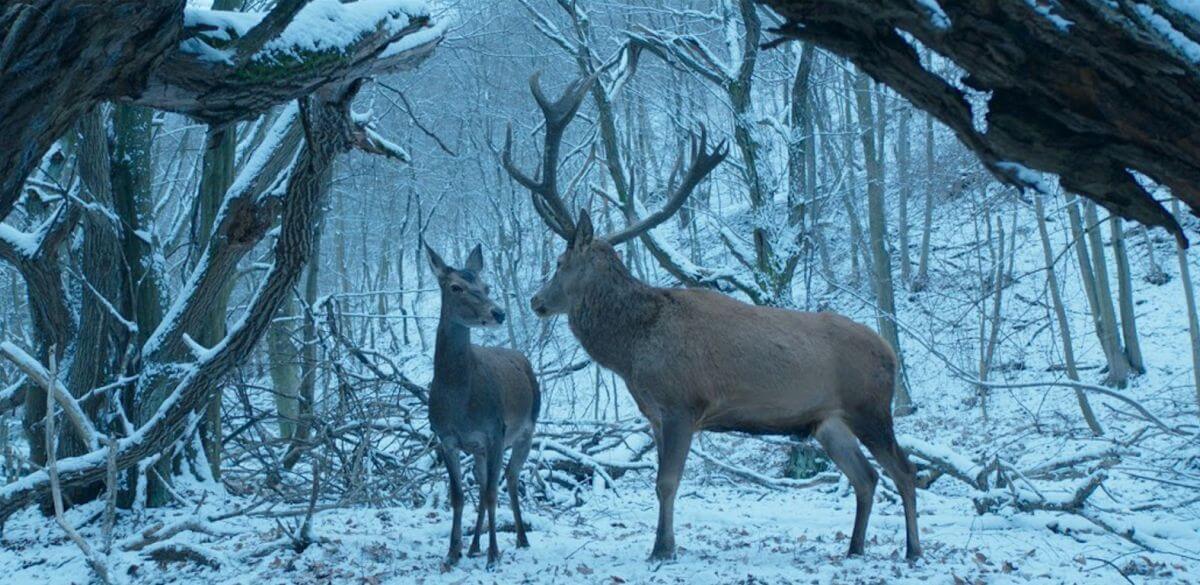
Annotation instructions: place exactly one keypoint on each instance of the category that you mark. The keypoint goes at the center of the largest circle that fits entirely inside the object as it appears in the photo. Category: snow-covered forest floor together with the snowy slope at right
(731, 530)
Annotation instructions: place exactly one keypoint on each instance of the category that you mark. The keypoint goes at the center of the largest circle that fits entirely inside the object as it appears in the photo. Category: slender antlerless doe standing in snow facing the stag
(483, 401)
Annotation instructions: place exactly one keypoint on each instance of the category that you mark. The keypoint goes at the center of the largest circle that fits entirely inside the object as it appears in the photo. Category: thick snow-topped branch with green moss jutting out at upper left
(215, 79)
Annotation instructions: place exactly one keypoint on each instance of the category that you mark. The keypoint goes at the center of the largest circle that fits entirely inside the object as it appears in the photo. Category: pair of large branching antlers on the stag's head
(549, 202)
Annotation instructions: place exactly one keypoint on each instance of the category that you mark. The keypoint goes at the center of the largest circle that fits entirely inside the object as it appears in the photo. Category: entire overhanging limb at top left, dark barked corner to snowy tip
(59, 58)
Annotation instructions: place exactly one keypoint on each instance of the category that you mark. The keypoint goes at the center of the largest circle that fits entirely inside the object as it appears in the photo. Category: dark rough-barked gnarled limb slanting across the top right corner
(1090, 91)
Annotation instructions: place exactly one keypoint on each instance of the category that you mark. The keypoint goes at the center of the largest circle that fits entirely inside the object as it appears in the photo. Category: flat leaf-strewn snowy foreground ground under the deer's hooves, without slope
(727, 535)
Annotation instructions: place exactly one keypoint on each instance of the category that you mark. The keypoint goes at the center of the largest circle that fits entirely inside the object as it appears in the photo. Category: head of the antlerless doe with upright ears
(465, 297)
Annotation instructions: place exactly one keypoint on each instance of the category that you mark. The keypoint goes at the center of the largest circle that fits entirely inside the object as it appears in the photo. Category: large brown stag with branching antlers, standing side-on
(697, 360)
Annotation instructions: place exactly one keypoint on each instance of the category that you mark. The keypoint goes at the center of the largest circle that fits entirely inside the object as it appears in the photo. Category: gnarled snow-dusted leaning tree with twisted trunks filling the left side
(59, 62)
